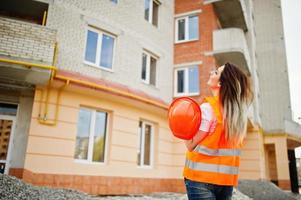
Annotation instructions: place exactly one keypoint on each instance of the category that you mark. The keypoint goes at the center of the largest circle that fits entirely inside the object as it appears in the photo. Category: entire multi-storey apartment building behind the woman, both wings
(85, 87)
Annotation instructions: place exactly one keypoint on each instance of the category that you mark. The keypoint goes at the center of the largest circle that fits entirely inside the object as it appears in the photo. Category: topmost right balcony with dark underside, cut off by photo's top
(231, 13)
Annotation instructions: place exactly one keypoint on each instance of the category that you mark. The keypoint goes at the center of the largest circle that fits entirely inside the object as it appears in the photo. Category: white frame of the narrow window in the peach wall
(141, 150)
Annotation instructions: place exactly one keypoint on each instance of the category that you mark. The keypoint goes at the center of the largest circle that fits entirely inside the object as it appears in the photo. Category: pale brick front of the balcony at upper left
(27, 41)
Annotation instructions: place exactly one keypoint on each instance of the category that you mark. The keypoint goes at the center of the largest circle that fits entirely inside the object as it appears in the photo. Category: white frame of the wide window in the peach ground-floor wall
(89, 159)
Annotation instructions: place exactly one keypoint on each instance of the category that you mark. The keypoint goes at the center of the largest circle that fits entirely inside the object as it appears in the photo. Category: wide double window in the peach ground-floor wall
(91, 135)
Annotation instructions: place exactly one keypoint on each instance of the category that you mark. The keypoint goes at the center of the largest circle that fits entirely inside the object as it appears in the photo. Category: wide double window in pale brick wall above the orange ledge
(99, 49)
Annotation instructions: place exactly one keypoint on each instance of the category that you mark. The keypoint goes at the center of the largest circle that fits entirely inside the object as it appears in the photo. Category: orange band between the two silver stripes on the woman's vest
(222, 160)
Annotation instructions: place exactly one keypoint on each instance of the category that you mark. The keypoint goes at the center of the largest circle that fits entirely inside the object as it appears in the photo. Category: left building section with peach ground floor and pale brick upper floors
(84, 95)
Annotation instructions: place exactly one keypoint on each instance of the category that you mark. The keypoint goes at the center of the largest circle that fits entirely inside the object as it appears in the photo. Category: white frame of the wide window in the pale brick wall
(98, 49)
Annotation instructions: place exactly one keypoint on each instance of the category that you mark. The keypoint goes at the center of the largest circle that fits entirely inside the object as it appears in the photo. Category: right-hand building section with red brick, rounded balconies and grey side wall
(248, 33)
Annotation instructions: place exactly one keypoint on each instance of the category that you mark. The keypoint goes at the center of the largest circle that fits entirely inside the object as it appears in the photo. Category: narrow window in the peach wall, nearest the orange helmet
(145, 151)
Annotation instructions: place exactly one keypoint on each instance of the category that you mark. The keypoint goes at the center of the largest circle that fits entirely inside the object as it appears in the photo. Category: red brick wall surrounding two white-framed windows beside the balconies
(194, 51)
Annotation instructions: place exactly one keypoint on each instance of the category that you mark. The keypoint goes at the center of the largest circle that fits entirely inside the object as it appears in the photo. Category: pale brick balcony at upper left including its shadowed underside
(23, 43)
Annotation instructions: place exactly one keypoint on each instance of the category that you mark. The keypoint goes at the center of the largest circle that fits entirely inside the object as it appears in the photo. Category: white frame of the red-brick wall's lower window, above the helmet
(186, 82)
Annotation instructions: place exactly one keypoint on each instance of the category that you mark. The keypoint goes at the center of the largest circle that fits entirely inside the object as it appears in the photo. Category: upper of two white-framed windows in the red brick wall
(187, 28)
